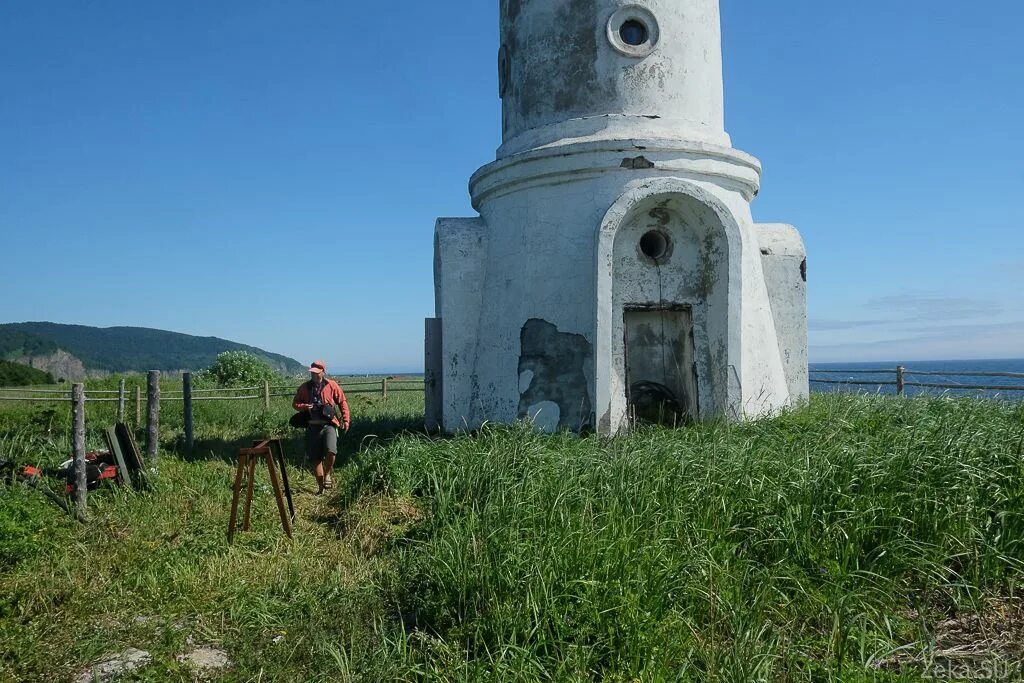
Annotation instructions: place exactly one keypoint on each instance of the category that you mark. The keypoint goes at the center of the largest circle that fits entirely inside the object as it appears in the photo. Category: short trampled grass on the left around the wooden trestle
(152, 570)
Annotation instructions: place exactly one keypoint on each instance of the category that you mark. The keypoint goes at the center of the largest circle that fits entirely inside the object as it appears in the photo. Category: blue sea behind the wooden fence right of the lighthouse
(950, 372)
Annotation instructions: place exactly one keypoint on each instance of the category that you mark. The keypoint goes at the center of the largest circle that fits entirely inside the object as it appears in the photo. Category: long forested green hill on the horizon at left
(125, 350)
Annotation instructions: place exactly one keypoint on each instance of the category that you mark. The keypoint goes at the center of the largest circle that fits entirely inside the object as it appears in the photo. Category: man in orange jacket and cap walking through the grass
(328, 412)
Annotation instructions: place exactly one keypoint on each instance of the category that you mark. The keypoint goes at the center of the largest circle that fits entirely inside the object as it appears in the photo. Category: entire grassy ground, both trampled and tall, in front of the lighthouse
(859, 539)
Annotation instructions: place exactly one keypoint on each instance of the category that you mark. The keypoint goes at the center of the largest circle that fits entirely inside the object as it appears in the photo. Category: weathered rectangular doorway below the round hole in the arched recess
(661, 374)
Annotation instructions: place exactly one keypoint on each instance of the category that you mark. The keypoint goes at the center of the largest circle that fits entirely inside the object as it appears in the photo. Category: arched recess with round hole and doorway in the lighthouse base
(668, 297)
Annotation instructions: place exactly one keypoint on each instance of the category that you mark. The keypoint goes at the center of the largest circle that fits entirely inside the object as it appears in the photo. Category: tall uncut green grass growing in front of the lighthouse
(798, 547)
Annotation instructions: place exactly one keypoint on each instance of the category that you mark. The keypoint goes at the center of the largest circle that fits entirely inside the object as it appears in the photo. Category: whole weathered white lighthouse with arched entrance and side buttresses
(615, 272)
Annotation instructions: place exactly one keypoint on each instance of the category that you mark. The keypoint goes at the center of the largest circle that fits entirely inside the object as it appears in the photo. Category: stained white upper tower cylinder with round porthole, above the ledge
(567, 73)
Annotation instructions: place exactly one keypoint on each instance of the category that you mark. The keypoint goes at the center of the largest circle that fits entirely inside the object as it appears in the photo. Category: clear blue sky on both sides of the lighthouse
(271, 172)
